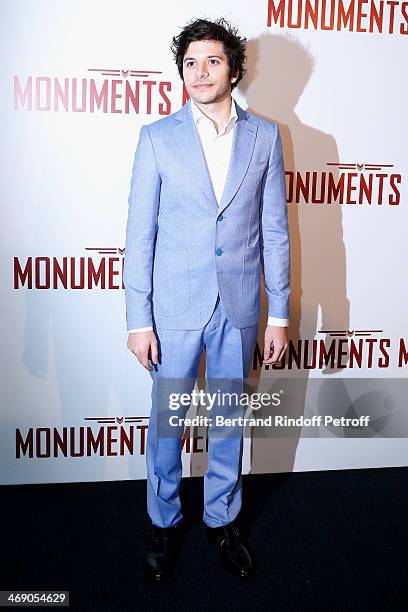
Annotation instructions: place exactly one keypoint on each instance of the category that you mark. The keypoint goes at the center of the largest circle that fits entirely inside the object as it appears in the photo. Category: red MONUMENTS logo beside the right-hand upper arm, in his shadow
(350, 183)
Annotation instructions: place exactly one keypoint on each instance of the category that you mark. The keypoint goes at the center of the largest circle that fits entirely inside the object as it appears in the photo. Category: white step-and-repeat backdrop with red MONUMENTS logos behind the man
(78, 80)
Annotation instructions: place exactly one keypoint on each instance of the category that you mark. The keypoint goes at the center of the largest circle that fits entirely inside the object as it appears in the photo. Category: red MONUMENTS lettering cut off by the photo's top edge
(382, 17)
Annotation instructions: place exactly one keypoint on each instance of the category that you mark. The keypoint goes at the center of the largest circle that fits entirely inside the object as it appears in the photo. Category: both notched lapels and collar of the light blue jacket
(189, 146)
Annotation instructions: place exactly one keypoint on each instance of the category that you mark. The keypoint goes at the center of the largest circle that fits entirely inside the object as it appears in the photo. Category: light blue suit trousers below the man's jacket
(229, 353)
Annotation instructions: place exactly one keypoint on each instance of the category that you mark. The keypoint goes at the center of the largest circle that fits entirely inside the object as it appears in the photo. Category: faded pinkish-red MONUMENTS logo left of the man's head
(102, 90)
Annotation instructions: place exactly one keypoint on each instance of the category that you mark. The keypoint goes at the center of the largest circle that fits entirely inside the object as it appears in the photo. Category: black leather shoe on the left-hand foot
(162, 551)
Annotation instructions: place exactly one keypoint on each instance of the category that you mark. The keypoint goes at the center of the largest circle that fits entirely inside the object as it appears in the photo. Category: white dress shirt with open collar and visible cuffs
(217, 153)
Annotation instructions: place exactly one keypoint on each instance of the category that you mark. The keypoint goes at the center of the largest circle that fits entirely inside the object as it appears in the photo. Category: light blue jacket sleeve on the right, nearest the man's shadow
(275, 244)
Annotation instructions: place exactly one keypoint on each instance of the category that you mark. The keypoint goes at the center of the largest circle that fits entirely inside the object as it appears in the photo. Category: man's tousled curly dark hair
(204, 29)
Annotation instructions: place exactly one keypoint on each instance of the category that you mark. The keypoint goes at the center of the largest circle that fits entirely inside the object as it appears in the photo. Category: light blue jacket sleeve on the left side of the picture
(141, 232)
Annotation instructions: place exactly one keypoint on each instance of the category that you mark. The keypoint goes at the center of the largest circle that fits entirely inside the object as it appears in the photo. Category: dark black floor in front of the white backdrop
(321, 540)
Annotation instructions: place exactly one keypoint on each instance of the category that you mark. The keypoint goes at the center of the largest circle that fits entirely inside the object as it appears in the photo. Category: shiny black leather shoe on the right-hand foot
(234, 555)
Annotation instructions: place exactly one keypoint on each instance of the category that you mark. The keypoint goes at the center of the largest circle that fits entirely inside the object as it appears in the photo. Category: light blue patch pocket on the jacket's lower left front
(171, 281)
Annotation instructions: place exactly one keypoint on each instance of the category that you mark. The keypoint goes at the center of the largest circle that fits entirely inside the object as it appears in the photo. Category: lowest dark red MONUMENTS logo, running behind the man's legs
(107, 437)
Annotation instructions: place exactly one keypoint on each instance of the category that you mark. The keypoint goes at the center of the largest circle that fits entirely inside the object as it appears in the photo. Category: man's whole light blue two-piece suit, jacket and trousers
(193, 270)
